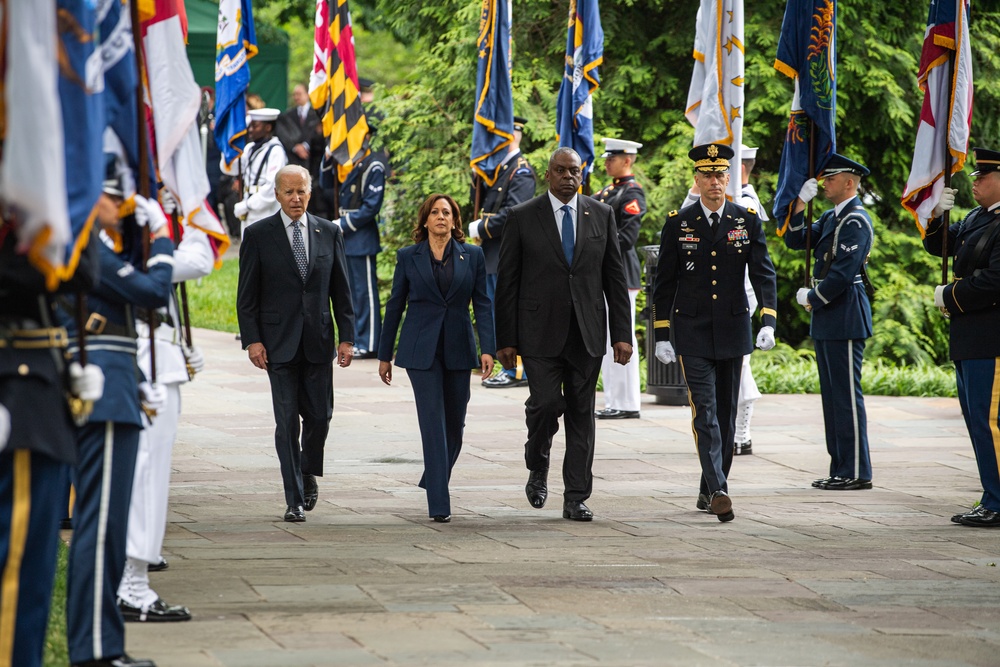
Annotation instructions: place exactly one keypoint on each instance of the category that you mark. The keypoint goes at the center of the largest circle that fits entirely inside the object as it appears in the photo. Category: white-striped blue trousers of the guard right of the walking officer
(844, 415)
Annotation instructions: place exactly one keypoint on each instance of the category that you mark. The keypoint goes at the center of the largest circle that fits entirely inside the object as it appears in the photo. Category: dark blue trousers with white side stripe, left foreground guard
(95, 628)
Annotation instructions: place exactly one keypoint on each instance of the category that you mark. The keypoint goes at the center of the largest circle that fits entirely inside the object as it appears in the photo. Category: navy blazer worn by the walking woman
(431, 315)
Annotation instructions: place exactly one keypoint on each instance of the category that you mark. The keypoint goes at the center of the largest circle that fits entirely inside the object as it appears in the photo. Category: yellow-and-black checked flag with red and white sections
(333, 86)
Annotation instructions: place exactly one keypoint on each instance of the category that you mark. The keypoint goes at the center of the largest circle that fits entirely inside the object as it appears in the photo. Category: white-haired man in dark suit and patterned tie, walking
(292, 268)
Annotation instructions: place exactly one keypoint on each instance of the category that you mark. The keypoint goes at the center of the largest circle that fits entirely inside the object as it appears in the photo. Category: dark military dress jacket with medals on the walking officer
(699, 289)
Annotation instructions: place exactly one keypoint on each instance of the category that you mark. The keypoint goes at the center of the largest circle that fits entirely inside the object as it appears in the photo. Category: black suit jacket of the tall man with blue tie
(537, 291)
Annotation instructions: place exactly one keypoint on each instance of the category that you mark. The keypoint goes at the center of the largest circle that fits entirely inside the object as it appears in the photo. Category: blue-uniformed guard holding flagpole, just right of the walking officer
(841, 316)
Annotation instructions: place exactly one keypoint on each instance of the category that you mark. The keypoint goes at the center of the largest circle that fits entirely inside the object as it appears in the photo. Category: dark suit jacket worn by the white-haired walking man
(273, 305)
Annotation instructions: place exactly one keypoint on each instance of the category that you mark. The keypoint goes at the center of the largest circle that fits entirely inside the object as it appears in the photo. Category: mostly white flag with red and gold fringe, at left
(175, 99)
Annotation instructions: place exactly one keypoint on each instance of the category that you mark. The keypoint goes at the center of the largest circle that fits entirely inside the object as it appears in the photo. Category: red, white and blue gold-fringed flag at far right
(945, 76)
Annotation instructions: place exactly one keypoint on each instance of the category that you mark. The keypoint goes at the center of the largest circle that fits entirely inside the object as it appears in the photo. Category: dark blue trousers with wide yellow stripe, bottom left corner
(29, 535)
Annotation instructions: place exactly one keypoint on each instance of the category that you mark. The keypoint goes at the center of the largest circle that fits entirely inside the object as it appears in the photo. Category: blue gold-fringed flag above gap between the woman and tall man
(493, 128)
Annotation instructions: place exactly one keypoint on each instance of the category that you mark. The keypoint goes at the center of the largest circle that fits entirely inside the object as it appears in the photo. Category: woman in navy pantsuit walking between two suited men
(435, 280)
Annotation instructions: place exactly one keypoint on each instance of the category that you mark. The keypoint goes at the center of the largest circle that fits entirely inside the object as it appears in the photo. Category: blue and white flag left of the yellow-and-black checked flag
(235, 44)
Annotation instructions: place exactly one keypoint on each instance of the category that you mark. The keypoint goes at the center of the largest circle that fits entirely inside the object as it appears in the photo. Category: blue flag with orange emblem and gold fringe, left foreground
(85, 121)
